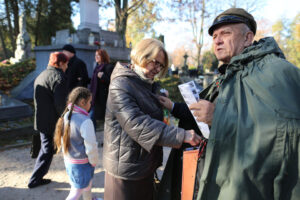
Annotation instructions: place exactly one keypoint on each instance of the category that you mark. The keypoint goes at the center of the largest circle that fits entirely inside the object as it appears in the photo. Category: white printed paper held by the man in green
(190, 94)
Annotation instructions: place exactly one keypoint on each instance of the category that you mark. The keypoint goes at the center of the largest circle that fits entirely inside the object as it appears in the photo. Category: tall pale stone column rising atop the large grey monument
(89, 15)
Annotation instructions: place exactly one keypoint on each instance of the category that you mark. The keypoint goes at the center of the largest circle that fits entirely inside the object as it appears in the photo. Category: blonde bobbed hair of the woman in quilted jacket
(147, 50)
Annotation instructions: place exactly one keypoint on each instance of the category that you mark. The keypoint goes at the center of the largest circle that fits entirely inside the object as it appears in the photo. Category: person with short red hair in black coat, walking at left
(50, 93)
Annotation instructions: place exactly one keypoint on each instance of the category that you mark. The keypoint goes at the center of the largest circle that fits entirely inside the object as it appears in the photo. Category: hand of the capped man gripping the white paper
(203, 111)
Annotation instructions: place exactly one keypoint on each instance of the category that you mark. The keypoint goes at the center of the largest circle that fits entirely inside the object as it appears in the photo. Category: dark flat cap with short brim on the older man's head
(234, 15)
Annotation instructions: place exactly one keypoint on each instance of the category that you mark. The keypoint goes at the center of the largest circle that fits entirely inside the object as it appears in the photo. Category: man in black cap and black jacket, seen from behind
(77, 74)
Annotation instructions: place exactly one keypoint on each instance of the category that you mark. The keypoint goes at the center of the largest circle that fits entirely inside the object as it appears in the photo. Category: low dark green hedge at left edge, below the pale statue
(12, 74)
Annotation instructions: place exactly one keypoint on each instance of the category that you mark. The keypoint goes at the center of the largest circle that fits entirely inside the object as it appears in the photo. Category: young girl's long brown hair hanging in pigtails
(63, 131)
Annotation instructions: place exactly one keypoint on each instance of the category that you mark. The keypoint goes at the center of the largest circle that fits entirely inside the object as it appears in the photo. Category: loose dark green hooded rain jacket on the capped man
(253, 148)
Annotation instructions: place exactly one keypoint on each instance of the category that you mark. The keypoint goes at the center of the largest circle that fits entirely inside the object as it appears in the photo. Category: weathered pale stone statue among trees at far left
(23, 42)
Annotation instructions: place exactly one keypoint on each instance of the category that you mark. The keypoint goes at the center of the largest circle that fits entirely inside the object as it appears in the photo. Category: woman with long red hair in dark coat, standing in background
(99, 85)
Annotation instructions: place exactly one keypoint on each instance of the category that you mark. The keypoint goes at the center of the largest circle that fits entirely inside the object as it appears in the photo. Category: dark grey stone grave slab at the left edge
(12, 109)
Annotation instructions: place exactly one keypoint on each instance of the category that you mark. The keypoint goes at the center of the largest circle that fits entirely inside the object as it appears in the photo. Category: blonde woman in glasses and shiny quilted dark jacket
(134, 131)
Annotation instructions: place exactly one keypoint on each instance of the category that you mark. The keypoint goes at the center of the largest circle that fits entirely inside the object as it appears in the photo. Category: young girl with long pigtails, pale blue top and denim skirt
(75, 135)
